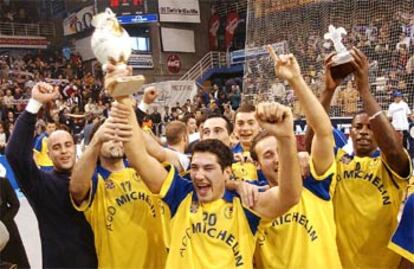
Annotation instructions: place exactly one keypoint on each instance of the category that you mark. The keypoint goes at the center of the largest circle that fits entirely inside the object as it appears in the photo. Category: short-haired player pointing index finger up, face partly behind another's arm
(305, 236)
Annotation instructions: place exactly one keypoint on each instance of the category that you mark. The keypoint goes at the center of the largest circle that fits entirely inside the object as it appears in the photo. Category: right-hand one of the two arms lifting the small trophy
(383, 131)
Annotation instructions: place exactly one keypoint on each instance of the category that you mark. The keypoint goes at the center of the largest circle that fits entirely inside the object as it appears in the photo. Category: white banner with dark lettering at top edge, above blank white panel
(179, 11)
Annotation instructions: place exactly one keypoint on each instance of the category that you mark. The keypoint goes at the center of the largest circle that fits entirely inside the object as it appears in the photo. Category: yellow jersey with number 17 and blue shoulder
(125, 218)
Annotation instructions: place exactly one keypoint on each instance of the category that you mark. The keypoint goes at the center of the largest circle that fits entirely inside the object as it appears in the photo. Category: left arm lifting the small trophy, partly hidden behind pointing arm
(325, 99)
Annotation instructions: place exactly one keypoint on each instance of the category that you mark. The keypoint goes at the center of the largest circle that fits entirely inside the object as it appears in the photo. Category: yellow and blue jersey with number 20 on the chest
(220, 234)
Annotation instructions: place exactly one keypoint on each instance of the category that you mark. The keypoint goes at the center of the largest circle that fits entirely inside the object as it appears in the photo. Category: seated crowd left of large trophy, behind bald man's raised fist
(81, 97)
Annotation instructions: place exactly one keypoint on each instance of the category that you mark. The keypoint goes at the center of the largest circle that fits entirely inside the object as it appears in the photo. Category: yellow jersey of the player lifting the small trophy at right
(367, 199)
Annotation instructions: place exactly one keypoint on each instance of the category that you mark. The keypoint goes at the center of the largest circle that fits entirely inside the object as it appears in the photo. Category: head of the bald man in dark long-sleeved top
(61, 150)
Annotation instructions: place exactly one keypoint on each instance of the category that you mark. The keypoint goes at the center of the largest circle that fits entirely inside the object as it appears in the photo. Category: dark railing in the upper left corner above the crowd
(27, 29)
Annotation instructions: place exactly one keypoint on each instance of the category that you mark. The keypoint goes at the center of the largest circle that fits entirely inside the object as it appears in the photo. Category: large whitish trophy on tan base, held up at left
(111, 44)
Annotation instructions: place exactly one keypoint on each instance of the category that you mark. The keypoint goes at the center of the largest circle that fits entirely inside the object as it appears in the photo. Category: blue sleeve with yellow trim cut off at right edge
(402, 242)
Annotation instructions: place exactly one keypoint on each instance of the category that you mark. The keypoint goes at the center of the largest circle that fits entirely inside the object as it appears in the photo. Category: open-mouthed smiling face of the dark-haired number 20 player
(208, 177)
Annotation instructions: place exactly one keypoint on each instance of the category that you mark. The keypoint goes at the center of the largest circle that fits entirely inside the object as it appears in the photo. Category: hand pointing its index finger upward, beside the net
(286, 66)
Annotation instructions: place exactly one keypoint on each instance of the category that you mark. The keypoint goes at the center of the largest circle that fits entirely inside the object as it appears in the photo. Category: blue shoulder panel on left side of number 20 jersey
(177, 192)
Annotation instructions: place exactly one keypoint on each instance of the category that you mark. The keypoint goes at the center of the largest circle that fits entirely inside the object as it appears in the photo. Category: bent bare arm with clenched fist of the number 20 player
(274, 202)
